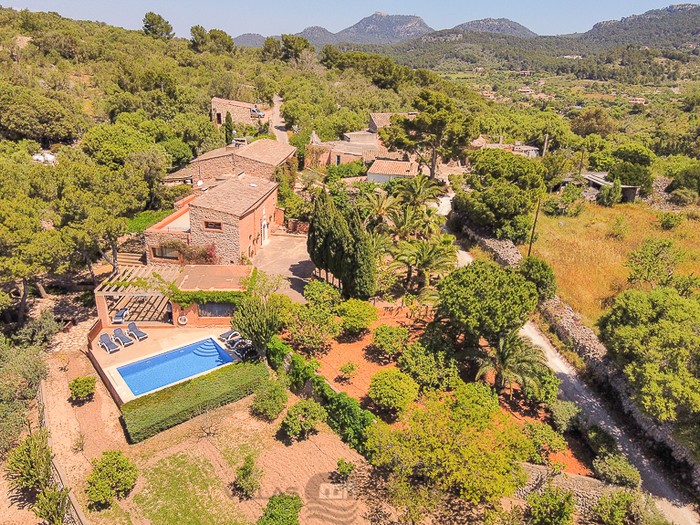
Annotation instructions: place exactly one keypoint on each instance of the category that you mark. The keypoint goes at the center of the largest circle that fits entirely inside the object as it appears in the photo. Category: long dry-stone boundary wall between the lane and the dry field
(567, 324)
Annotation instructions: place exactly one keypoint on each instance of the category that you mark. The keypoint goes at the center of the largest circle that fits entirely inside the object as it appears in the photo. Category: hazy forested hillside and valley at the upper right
(654, 38)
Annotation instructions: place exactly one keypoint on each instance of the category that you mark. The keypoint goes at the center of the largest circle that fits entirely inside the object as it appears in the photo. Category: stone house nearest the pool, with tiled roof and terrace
(236, 217)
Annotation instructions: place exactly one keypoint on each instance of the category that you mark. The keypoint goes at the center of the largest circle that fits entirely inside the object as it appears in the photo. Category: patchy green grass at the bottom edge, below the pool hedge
(182, 489)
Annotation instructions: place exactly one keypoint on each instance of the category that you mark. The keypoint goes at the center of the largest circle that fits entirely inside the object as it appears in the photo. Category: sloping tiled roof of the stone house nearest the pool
(236, 196)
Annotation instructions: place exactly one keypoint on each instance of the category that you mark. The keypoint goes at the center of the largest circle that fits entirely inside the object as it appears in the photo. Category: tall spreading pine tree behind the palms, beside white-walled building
(440, 130)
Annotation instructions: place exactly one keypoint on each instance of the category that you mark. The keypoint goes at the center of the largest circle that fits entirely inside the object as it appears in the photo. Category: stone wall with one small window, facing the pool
(227, 241)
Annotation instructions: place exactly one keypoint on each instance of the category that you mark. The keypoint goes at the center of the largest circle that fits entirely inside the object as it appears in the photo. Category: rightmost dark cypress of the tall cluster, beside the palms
(360, 270)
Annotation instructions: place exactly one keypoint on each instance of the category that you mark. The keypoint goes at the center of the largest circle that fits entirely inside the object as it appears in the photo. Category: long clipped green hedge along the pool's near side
(148, 415)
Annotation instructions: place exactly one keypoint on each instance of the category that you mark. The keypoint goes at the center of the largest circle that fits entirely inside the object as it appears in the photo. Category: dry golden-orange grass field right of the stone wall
(589, 261)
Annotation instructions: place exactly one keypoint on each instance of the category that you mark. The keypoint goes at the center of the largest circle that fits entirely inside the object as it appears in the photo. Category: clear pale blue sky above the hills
(271, 17)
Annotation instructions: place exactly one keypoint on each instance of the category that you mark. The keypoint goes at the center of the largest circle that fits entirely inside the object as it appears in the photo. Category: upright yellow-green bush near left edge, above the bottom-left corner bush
(28, 465)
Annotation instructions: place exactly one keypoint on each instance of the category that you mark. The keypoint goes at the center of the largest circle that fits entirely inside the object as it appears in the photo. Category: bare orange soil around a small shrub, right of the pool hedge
(360, 353)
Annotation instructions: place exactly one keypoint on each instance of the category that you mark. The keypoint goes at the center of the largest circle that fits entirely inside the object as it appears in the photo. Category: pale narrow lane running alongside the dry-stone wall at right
(674, 505)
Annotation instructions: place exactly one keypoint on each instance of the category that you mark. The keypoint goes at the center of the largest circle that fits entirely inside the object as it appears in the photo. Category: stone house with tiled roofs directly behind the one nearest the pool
(257, 159)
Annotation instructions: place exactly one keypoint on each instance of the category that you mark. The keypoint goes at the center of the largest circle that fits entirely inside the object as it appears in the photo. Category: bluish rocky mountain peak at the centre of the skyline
(381, 28)
